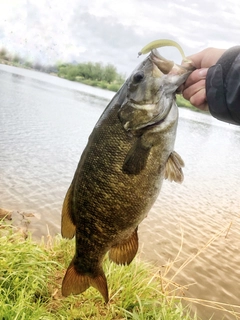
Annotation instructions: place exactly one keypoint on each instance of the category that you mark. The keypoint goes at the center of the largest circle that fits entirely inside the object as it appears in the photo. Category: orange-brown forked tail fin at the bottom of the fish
(75, 283)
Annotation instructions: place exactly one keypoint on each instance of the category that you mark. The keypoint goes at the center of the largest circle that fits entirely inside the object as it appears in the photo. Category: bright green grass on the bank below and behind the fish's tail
(31, 276)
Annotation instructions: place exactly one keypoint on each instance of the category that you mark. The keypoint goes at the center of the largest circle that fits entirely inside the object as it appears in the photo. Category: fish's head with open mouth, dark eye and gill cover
(151, 90)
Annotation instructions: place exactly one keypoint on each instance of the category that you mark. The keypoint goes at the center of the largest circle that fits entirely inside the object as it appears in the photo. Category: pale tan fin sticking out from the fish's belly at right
(173, 169)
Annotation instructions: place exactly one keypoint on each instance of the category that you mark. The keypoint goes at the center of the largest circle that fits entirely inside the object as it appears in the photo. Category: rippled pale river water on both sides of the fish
(44, 126)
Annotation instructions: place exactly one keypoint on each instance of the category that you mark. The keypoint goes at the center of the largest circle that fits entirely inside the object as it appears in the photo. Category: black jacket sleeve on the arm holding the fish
(223, 87)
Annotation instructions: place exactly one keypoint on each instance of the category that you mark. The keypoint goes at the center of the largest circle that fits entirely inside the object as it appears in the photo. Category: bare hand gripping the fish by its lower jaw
(194, 88)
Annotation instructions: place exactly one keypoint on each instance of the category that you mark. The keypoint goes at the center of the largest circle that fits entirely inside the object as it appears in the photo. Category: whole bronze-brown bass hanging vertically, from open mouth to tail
(120, 173)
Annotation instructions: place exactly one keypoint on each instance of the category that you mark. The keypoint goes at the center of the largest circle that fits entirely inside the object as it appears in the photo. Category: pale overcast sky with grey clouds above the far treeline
(113, 31)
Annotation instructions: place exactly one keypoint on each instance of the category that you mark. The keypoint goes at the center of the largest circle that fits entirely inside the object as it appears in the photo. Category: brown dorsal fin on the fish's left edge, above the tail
(68, 229)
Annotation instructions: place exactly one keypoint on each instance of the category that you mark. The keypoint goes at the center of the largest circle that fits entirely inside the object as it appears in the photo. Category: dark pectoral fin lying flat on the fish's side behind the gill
(136, 159)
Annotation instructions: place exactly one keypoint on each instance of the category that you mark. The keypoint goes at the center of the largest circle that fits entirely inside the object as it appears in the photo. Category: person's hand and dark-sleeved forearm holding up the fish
(215, 84)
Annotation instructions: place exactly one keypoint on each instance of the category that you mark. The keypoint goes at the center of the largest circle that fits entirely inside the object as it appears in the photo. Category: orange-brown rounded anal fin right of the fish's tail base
(125, 252)
